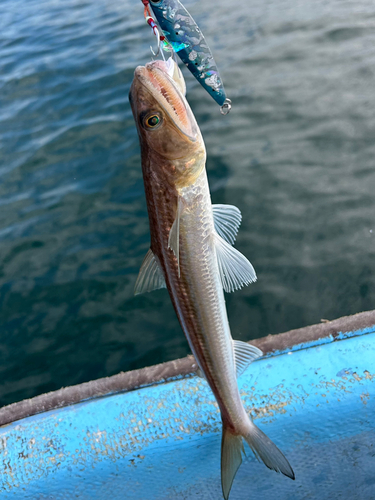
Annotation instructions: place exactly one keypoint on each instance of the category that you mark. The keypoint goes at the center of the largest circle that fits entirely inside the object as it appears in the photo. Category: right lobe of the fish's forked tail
(266, 451)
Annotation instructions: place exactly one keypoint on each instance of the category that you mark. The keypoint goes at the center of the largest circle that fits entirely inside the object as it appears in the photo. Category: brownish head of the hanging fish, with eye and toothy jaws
(166, 125)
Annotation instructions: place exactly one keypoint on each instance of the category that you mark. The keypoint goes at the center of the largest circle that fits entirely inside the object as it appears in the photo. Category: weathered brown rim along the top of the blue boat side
(271, 345)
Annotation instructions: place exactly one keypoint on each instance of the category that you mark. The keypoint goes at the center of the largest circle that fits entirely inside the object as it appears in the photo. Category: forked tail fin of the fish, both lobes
(263, 448)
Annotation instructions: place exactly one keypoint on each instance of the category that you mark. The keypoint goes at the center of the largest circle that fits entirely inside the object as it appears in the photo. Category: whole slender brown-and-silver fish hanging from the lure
(192, 254)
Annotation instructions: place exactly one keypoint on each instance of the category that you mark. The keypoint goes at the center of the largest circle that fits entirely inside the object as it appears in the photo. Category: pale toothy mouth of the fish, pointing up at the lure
(166, 85)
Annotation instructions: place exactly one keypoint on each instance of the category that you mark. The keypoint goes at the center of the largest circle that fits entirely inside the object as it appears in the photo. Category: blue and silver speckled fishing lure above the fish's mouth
(182, 35)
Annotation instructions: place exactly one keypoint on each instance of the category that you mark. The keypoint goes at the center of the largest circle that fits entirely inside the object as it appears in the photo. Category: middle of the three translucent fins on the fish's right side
(235, 270)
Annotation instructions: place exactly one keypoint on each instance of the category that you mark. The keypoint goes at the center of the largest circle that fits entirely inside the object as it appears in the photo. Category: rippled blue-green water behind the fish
(296, 155)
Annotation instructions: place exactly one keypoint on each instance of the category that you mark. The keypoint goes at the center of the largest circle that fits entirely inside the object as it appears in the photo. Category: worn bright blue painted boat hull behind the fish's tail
(163, 442)
